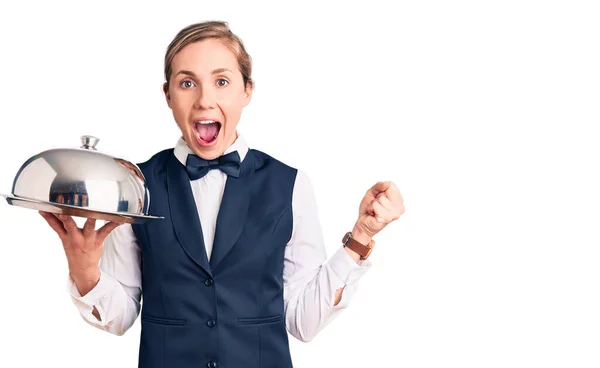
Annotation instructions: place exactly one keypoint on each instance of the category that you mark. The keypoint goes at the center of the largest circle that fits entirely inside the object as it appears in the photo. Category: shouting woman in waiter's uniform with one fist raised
(239, 258)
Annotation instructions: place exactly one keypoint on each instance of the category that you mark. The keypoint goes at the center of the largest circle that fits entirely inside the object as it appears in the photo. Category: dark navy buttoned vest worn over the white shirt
(226, 313)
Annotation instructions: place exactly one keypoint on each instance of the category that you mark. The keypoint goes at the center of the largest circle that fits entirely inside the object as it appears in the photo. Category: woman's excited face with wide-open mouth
(207, 94)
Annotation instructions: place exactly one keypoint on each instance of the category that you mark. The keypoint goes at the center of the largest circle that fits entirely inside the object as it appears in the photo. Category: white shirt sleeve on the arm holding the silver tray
(118, 293)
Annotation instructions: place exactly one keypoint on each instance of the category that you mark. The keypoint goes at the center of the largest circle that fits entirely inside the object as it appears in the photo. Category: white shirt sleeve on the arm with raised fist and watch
(310, 279)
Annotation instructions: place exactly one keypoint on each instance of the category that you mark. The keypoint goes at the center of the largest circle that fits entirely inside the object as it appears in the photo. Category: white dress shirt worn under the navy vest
(310, 279)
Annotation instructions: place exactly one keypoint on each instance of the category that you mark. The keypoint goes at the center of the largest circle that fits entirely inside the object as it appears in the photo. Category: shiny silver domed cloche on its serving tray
(82, 182)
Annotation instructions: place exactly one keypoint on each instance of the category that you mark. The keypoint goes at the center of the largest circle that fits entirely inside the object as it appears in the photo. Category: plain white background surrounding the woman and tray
(483, 114)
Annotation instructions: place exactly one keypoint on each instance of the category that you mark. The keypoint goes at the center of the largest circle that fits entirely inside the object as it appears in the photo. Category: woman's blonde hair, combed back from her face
(211, 29)
